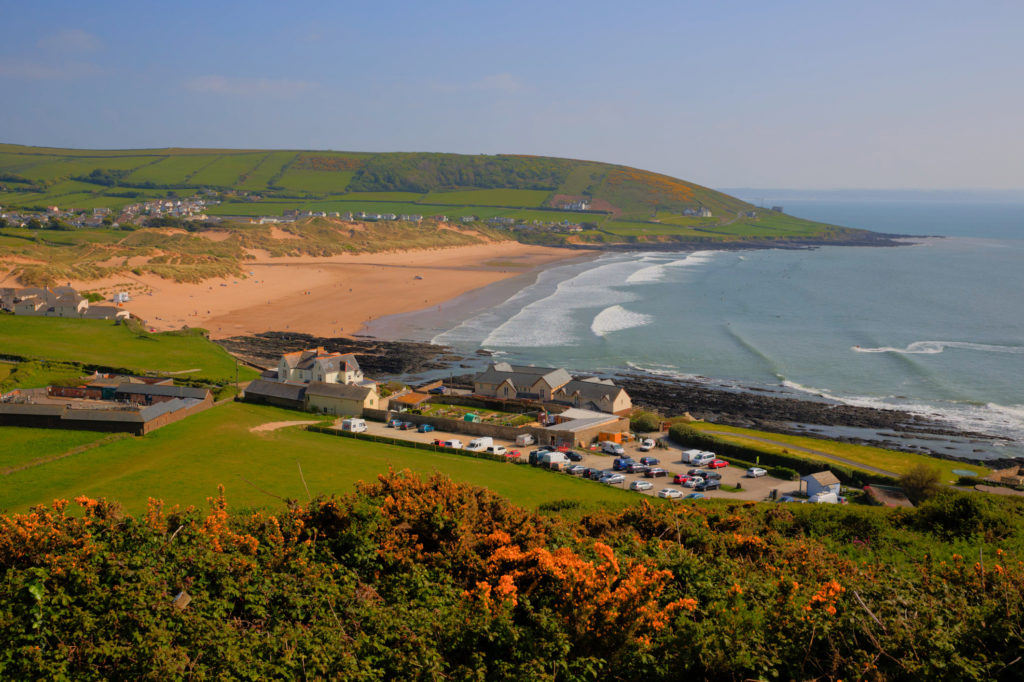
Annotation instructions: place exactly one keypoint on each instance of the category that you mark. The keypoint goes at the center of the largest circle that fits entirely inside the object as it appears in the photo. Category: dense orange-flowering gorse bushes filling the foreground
(413, 579)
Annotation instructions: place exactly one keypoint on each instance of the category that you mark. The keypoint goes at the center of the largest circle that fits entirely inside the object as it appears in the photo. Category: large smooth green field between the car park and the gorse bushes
(185, 462)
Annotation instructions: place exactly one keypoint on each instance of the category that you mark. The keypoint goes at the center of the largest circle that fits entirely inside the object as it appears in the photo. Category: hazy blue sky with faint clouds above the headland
(807, 95)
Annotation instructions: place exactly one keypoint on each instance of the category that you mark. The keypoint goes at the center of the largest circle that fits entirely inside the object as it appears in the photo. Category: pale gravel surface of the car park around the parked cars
(669, 456)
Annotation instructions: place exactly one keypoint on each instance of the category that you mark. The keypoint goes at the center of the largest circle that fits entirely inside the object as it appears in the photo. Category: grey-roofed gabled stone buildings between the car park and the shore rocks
(551, 385)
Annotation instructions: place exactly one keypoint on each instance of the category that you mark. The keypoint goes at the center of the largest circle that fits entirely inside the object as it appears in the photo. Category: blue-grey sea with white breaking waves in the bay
(935, 328)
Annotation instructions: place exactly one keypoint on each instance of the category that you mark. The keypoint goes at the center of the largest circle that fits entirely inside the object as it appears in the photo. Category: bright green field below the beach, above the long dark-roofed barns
(103, 343)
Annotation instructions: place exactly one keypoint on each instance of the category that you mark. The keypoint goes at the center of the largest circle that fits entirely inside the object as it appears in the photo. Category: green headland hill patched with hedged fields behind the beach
(628, 205)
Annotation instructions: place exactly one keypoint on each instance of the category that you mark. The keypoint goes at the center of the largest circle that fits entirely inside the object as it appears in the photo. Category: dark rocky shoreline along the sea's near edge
(749, 407)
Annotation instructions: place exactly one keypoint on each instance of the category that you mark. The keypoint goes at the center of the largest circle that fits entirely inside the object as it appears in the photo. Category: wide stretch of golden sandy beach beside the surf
(331, 296)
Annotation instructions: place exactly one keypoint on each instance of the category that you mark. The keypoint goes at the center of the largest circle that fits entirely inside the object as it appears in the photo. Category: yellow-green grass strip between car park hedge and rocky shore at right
(889, 460)
